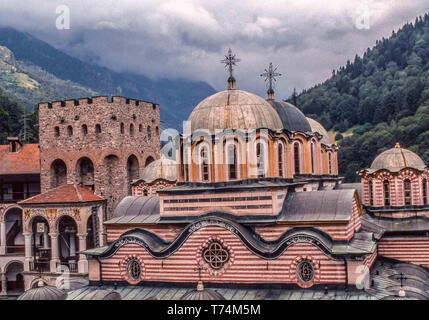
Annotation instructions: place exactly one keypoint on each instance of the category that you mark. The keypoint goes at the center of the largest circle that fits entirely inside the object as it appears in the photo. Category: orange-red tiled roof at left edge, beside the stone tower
(25, 161)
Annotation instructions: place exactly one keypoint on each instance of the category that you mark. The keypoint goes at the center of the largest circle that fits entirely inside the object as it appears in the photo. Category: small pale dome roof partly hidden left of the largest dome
(160, 169)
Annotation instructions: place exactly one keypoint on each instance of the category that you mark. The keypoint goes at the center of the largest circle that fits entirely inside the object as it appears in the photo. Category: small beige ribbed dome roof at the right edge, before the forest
(396, 159)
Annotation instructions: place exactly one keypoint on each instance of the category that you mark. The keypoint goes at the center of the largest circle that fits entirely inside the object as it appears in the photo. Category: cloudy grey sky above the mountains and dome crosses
(306, 39)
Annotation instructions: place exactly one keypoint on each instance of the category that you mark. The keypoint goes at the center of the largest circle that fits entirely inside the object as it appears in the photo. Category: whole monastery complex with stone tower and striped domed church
(251, 198)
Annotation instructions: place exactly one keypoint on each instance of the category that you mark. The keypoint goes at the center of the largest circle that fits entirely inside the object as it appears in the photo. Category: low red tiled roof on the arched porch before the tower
(67, 193)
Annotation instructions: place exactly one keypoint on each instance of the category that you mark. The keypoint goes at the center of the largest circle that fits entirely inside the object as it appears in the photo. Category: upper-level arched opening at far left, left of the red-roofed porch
(14, 237)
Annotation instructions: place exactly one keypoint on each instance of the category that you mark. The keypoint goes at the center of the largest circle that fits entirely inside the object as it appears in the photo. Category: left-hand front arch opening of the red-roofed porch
(41, 245)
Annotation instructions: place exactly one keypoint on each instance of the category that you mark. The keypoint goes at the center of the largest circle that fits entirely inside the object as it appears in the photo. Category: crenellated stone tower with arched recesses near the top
(99, 143)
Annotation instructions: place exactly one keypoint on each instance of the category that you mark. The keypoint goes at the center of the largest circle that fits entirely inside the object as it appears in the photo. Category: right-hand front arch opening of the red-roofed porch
(68, 242)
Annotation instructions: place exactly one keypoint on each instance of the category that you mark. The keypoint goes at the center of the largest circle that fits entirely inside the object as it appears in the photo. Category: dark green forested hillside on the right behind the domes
(381, 98)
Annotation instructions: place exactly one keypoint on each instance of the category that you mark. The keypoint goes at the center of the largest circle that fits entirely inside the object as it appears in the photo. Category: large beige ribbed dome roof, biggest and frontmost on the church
(234, 109)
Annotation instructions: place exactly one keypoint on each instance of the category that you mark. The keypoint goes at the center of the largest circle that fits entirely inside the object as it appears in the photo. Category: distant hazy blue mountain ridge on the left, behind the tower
(176, 98)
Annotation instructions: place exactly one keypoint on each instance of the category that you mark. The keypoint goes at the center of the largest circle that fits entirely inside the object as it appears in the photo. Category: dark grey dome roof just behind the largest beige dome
(292, 118)
